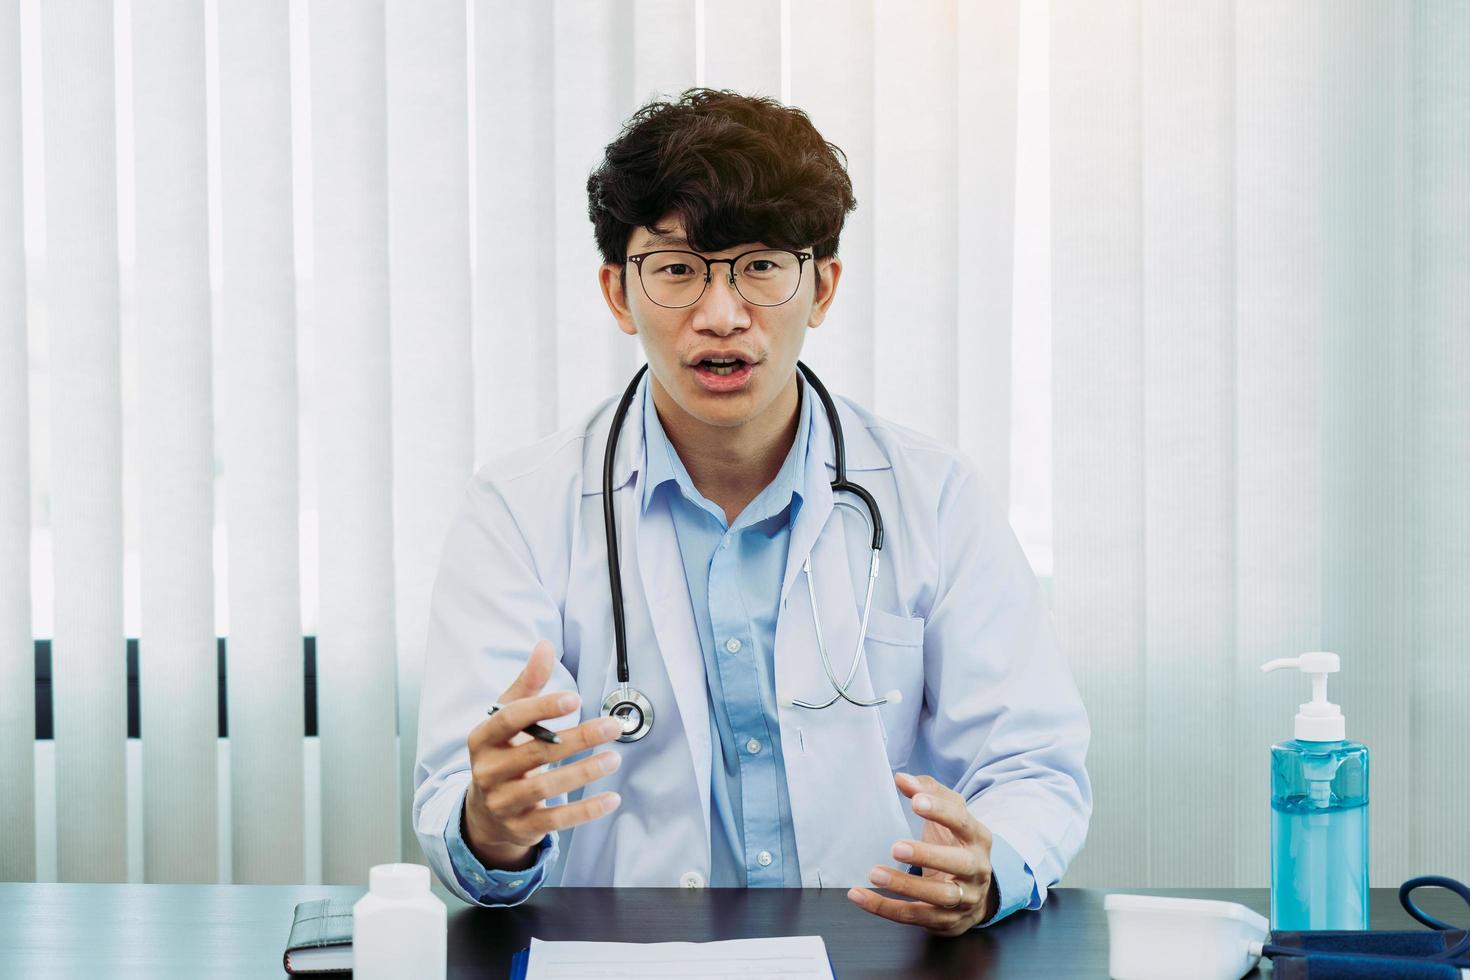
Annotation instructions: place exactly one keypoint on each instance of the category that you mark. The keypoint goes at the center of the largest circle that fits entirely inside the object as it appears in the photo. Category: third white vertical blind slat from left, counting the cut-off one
(177, 675)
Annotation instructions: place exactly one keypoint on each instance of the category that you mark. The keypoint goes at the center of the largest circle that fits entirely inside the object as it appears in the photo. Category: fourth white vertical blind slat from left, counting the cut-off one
(259, 440)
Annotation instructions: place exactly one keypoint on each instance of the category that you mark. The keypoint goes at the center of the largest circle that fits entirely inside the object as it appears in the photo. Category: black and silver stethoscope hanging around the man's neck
(630, 706)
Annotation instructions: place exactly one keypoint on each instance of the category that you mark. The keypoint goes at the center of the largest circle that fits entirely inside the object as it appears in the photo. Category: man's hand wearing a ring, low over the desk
(956, 891)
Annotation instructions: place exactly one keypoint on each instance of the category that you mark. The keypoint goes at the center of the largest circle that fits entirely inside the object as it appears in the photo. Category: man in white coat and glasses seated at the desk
(958, 800)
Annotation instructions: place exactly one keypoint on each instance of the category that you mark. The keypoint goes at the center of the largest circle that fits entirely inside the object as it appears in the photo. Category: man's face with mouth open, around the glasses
(768, 339)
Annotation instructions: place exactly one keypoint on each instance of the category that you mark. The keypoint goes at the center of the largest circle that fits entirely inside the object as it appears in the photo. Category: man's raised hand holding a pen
(505, 813)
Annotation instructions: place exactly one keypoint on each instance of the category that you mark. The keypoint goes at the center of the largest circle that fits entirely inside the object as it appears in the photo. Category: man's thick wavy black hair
(736, 168)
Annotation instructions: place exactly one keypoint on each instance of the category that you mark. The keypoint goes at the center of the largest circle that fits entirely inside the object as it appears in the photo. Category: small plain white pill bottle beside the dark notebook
(399, 926)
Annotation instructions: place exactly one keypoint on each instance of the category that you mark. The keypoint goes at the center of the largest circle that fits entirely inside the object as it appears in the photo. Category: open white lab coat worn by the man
(959, 627)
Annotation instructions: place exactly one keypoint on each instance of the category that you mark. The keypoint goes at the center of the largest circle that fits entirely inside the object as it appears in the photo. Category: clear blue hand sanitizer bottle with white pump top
(1319, 815)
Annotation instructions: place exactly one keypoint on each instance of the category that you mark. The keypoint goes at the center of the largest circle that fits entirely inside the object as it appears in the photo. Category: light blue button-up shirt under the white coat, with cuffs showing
(734, 575)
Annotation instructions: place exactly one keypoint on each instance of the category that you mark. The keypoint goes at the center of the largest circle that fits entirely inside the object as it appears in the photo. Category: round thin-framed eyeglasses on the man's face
(764, 277)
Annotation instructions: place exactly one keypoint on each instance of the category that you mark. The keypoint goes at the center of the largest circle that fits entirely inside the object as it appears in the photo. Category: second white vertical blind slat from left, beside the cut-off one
(86, 439)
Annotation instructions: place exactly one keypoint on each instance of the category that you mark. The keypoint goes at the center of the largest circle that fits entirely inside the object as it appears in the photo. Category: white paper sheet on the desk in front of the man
(784, 957)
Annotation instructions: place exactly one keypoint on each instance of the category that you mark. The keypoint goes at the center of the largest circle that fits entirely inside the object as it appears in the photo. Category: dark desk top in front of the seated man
(239, 931)
